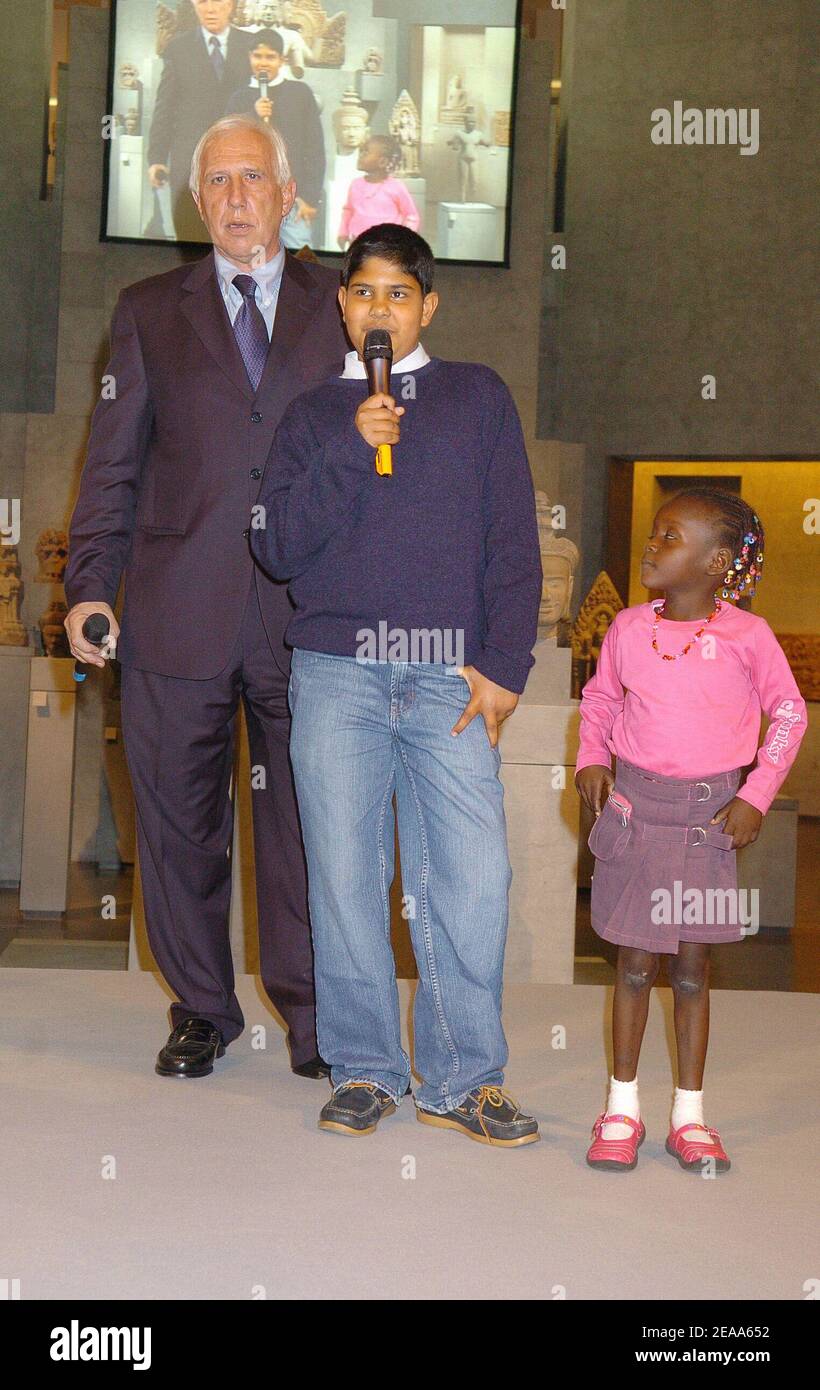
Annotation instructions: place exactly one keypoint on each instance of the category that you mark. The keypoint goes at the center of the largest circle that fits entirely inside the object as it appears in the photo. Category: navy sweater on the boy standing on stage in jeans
(448, 541)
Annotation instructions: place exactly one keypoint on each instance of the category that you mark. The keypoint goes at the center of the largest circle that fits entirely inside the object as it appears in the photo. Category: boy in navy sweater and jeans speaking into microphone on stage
(447, 544)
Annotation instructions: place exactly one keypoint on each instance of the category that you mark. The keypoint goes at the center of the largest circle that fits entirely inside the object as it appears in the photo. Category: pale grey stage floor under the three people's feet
(226, 1189)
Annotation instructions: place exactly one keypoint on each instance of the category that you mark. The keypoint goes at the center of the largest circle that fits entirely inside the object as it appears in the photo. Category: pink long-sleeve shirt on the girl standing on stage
(700, 715)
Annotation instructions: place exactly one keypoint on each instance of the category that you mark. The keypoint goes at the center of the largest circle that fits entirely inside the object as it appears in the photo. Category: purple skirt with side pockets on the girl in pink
(664, 875)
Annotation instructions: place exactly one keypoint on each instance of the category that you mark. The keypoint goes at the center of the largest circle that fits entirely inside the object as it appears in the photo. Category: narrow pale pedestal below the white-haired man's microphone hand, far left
(49, 780)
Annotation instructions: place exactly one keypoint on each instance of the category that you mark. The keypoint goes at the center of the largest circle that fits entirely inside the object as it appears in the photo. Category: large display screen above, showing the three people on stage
(393, 111)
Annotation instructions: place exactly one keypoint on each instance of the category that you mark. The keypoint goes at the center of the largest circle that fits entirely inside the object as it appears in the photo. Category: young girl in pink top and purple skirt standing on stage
(678, 698)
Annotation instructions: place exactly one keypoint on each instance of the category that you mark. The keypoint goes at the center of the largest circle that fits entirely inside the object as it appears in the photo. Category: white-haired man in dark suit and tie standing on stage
(205, 361)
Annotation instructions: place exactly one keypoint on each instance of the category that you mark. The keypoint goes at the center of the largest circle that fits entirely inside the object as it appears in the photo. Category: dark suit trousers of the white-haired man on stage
(180, 744)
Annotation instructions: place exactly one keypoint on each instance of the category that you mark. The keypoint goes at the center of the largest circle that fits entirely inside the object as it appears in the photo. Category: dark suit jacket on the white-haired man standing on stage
(167, 489)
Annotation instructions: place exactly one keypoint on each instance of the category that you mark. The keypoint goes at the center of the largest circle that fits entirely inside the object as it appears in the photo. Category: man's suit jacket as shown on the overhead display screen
(191, 98)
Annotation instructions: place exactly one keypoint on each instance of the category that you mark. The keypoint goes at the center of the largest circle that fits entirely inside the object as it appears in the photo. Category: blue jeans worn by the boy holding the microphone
(362, 732)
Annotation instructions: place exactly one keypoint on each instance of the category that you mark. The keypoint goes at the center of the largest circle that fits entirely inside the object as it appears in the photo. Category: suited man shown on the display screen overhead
(201, 69)
